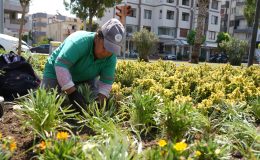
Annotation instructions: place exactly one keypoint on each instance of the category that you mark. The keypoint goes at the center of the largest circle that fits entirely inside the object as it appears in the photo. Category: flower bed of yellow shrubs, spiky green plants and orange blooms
(157, 111)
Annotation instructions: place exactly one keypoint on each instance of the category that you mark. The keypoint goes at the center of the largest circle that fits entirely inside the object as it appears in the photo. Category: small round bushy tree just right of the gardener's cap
(145, 42)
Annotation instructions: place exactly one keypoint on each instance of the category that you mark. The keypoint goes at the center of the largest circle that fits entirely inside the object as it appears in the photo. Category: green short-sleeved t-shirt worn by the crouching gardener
(76, 54)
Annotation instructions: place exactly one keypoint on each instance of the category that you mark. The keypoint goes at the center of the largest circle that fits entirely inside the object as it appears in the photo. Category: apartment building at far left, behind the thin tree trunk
(12, 15)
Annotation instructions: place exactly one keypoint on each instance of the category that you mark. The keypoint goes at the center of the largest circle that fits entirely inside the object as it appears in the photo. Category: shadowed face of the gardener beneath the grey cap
(99, 50)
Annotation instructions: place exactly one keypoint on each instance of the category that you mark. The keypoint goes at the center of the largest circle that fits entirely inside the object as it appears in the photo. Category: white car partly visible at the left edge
(10, 44)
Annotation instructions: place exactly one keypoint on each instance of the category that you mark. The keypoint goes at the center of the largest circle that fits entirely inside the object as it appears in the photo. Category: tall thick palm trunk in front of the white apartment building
(202, 14)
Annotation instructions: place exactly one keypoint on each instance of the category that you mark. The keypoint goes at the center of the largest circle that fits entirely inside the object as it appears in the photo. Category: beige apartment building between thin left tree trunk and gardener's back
(56, 27)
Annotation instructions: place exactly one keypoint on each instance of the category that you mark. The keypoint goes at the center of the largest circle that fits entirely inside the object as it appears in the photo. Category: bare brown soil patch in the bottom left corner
(11, 126)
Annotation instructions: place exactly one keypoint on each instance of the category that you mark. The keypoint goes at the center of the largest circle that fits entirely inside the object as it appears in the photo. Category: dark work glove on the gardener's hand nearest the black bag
(77, 99)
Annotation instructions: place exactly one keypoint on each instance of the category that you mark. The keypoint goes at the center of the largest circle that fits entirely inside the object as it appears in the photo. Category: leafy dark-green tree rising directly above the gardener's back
(89, 8)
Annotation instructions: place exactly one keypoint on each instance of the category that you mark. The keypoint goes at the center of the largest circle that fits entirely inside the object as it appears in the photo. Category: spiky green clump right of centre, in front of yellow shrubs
(178, 119)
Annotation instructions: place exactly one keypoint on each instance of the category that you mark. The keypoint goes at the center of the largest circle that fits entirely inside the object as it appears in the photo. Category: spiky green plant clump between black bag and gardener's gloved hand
(43, 111)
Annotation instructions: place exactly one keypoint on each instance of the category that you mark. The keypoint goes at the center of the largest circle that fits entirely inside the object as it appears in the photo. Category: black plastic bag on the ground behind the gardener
(18, 76)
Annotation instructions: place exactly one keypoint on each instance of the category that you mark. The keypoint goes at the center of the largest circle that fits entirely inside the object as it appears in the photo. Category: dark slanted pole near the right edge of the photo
(254, 34)
